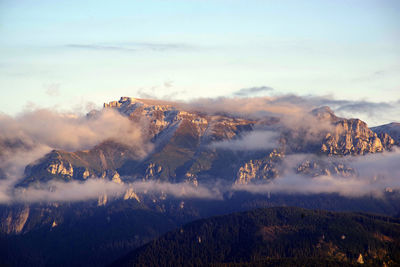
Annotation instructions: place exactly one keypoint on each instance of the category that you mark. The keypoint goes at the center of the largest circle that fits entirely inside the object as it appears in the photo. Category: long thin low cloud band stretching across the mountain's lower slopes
(375, 175)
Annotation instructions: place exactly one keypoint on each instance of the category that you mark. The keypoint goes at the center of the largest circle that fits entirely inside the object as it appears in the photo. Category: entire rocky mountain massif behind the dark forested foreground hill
(190, 164)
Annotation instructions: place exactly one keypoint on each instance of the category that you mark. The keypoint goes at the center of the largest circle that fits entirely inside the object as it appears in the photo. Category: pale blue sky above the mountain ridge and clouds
(75, 55)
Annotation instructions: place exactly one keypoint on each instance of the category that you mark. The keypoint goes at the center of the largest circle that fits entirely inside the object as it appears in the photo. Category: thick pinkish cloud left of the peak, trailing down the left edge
(31, 135)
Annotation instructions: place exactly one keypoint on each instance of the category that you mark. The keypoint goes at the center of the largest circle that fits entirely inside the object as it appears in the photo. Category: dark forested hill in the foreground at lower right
(276, 237)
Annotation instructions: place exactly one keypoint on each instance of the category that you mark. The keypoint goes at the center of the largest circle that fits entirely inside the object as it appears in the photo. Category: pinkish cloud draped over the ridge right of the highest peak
(281, 114)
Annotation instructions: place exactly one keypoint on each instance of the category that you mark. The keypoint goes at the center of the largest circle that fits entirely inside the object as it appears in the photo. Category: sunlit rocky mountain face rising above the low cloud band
(185, 148)
